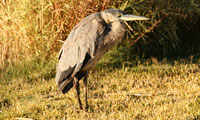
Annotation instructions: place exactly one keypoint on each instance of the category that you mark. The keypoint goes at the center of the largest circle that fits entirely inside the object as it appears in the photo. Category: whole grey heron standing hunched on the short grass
(89, 40)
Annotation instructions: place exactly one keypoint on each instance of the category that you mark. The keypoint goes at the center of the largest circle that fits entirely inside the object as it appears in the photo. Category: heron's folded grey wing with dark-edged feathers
(82, 41)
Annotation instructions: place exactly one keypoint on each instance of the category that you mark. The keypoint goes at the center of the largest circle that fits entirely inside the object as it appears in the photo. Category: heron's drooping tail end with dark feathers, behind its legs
(64, 83)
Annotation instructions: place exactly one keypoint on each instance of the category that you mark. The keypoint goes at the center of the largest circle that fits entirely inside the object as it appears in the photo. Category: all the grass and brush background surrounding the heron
(154, 74)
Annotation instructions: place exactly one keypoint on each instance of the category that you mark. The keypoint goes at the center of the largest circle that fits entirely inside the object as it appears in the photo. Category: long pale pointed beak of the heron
(129, 17)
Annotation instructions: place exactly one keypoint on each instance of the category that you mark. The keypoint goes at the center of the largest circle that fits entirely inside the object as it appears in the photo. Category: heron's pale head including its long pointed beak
(115, 15)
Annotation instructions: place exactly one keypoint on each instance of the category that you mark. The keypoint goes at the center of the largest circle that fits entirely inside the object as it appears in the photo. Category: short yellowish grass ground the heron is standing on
(156, 91)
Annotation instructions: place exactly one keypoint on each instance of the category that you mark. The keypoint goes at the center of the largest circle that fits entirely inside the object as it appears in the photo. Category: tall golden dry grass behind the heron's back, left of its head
(37, 28)
